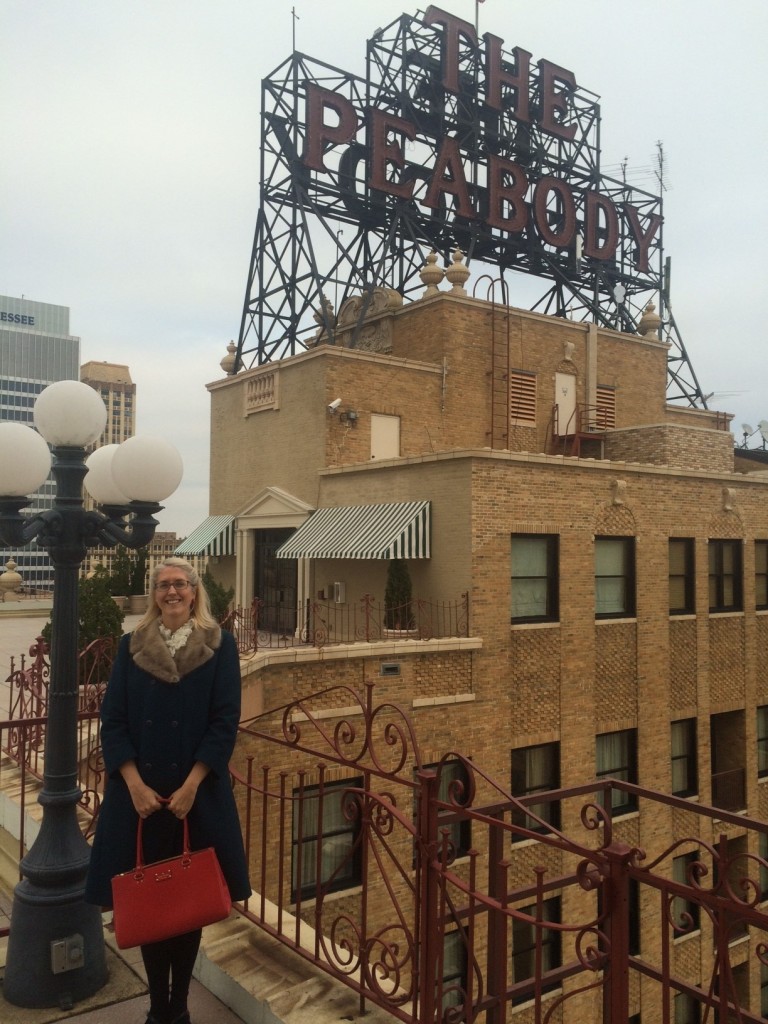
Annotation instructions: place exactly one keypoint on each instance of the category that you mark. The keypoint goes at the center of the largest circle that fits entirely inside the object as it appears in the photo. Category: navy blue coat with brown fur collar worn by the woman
(167, 715)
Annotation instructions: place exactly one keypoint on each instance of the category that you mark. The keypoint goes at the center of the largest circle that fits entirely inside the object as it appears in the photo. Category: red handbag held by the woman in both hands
(169, 898)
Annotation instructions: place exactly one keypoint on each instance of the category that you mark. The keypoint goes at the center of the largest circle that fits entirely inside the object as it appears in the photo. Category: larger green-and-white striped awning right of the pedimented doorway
(399, 530)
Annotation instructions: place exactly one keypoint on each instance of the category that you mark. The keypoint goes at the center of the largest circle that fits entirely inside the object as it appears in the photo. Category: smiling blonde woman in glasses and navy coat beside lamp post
(169, 720)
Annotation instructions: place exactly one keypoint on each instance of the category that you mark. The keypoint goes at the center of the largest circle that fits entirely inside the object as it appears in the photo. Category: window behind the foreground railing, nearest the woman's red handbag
(319, 819)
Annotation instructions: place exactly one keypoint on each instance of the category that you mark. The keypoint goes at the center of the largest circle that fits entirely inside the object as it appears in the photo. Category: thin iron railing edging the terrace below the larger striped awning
(320, 624)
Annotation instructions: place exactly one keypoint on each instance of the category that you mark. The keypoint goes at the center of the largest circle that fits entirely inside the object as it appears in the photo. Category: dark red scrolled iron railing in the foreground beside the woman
(434, 893)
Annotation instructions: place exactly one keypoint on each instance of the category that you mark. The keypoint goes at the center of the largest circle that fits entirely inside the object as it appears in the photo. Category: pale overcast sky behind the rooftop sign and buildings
(130, 170)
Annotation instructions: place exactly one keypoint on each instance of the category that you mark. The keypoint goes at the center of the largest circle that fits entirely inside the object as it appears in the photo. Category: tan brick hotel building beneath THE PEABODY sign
(615, 552)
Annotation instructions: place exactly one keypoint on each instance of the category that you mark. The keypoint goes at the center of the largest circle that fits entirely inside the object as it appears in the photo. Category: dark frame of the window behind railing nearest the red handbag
(348, 879)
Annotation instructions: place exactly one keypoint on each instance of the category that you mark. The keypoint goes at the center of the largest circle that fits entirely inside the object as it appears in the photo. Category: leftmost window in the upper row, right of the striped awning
(535, 578)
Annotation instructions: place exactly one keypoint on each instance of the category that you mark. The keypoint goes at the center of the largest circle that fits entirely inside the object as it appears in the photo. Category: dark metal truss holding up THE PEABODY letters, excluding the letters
(325, 236)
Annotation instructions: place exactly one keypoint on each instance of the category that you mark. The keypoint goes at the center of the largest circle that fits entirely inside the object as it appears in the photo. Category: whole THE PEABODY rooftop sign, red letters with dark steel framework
(449, 140)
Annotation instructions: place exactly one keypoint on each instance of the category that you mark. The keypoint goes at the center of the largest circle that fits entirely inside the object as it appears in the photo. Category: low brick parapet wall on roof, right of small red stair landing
(671, 445)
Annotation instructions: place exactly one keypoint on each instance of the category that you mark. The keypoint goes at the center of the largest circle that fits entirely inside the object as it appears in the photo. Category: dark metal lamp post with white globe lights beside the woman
(56, 954)
